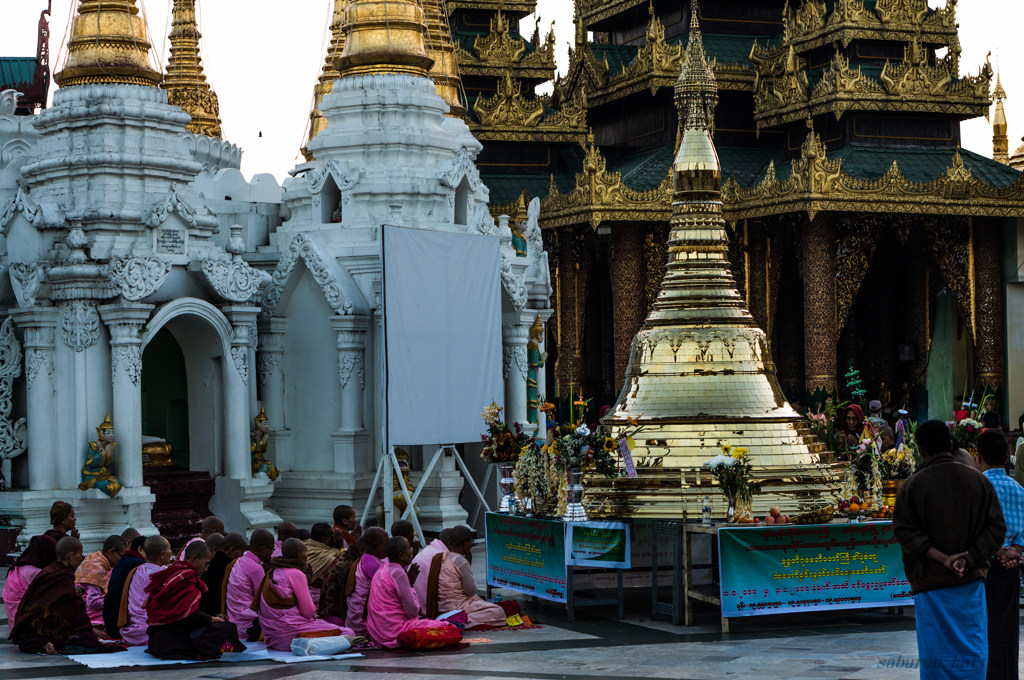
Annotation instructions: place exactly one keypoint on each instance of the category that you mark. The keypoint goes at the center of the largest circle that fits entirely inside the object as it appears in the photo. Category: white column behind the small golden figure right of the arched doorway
(270, 358)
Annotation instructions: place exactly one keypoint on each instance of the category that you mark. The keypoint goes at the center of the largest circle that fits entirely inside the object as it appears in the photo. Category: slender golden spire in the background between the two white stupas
(186, 82)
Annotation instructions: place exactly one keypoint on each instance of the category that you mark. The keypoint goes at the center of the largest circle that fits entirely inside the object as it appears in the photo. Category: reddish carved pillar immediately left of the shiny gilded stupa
(629, 292)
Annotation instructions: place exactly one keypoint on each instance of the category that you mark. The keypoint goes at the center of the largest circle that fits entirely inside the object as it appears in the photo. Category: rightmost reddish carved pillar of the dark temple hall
(989, 342)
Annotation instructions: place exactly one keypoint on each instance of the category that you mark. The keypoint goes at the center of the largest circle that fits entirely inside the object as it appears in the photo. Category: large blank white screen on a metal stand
(443, 321)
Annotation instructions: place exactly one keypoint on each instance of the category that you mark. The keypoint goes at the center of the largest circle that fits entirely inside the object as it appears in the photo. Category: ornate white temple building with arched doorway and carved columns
(121, 230)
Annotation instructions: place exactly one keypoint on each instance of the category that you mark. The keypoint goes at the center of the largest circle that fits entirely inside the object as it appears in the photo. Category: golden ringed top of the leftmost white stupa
(108, 46)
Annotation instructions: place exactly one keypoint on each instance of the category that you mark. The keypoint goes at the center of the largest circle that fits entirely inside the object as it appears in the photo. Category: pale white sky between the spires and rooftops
(265, 57)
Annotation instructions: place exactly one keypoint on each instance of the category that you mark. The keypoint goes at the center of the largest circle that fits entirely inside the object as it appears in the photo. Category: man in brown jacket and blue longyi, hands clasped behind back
(949, 522)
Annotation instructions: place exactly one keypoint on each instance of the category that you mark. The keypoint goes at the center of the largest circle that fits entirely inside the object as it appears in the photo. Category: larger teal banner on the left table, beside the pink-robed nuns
(527, 556)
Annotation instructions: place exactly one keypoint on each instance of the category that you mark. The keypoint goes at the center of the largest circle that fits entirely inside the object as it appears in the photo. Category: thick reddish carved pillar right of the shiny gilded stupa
(821, 333)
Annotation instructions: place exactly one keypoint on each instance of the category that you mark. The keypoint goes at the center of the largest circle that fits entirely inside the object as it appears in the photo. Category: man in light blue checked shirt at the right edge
(1003, 586)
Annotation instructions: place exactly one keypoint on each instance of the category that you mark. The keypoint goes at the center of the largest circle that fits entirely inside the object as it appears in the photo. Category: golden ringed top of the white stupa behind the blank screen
(383, 37)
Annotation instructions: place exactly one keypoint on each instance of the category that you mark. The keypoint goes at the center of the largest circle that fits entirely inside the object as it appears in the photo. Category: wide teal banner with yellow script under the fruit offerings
(777, 570)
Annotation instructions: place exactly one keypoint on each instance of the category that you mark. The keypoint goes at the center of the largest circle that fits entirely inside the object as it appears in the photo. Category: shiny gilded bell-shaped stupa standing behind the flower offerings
(701, 374)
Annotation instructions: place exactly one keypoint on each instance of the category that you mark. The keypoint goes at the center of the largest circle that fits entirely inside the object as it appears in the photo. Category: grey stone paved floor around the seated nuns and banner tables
(855, 645)
